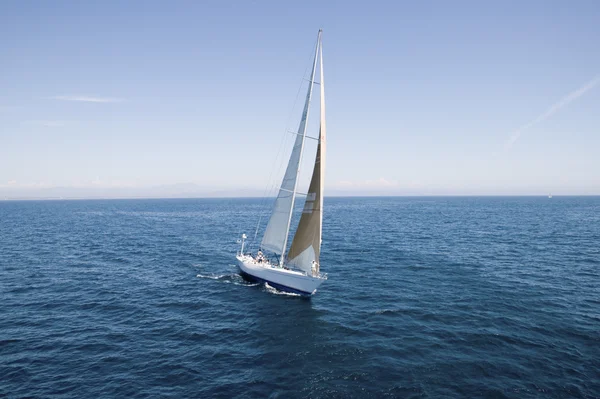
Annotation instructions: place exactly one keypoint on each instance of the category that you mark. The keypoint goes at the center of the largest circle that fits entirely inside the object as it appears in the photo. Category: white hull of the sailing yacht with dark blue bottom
(277, 277)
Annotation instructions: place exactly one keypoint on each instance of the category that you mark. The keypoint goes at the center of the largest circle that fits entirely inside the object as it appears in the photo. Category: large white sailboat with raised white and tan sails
(298, 271)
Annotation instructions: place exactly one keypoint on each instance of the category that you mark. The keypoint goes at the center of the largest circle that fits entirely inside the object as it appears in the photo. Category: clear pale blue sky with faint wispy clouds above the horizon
(154, 98)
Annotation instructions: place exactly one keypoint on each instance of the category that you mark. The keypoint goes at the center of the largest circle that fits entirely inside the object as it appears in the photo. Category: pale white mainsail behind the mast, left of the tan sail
(276, 233)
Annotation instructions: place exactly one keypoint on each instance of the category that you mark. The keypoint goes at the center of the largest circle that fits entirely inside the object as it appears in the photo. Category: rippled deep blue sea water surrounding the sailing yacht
(426, 298)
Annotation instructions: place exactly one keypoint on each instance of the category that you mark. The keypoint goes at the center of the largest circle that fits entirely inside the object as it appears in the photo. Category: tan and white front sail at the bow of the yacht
(306, 246)
